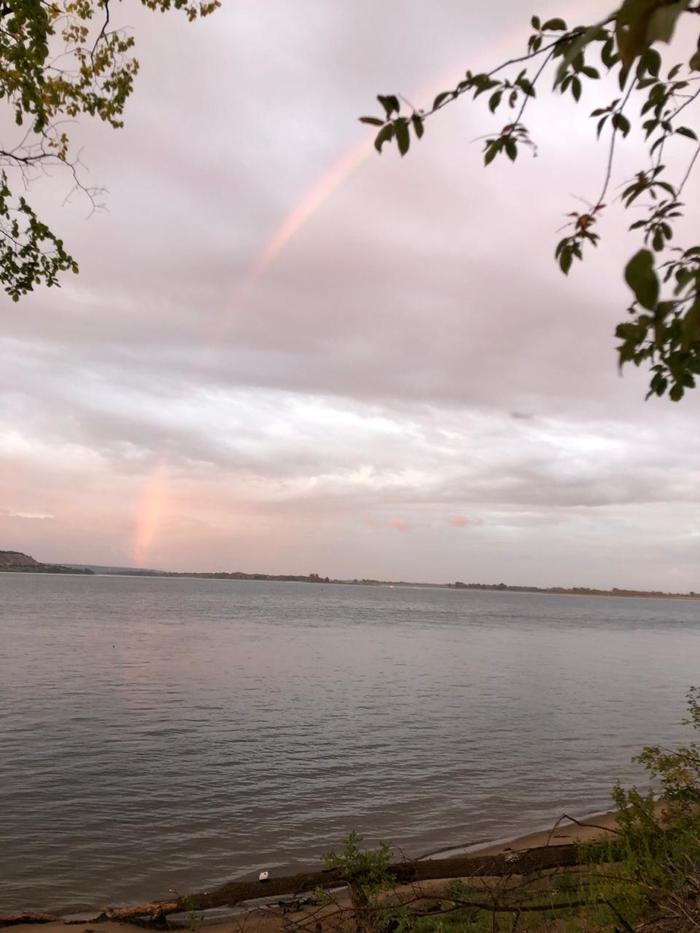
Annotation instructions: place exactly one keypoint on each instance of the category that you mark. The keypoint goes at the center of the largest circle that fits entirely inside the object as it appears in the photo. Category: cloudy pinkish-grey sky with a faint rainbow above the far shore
(287, 354)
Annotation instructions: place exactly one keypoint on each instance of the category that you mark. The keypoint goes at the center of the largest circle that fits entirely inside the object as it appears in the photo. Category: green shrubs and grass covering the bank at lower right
(644, 877)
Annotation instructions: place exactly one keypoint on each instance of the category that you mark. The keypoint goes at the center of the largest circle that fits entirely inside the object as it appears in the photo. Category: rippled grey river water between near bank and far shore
(171, 733)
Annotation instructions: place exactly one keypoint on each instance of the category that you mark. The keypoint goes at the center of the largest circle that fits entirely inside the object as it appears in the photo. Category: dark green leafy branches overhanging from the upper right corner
(664, 332)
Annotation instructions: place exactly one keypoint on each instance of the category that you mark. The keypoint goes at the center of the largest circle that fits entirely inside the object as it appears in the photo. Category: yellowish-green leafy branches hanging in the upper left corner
(59, 60)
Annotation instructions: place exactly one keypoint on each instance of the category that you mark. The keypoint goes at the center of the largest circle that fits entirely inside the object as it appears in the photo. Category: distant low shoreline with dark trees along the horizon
(17, 562)
